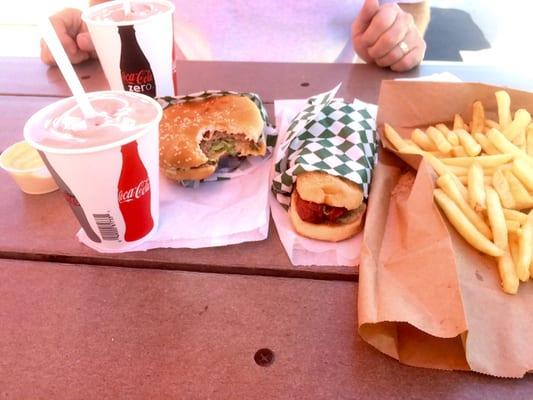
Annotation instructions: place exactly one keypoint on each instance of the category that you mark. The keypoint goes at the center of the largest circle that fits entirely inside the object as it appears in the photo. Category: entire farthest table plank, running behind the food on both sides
(270, 80)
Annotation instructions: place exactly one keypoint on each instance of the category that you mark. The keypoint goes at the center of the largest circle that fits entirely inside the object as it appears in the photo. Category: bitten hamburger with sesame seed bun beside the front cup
(194, 135)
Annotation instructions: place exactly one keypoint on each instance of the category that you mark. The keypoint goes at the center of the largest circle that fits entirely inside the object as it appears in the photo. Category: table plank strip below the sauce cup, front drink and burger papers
(42, 227)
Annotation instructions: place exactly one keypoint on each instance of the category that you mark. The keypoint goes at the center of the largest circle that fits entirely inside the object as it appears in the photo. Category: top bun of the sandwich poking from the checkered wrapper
(322, 188)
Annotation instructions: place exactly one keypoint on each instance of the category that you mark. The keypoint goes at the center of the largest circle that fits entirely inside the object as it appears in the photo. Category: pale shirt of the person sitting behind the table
(267, 30)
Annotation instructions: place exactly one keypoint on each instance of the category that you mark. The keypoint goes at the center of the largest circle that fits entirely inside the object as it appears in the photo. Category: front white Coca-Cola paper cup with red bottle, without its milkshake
(113, 188)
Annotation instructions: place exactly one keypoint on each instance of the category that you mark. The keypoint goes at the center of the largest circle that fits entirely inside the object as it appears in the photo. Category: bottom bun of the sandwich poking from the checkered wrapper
(329, 232)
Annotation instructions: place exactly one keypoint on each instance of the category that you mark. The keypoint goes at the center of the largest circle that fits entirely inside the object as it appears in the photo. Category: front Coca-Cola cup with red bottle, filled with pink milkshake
(107, 166)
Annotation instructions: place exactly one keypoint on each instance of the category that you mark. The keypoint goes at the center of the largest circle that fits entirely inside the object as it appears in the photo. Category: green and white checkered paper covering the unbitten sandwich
(331, 136)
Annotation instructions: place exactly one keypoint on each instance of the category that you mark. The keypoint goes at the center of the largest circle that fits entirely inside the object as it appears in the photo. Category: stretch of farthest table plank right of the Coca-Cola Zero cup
(288, 81)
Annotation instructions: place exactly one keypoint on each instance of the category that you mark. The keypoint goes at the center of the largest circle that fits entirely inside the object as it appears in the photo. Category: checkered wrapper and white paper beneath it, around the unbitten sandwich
(325, 134)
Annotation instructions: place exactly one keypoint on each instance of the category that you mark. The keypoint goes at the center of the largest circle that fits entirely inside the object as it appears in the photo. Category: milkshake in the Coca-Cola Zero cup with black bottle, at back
(135, 48)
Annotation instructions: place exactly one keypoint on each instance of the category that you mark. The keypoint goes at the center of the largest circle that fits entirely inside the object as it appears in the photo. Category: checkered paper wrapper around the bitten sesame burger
(228, 167)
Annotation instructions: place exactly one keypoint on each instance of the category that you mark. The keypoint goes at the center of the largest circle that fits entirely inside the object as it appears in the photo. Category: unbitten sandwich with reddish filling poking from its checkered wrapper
(326, 207)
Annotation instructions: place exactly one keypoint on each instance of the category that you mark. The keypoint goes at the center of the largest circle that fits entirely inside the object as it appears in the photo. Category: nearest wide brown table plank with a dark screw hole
(78, 331)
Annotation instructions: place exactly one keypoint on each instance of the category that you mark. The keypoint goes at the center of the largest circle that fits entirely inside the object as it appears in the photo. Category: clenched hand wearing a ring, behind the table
(387, 36)
